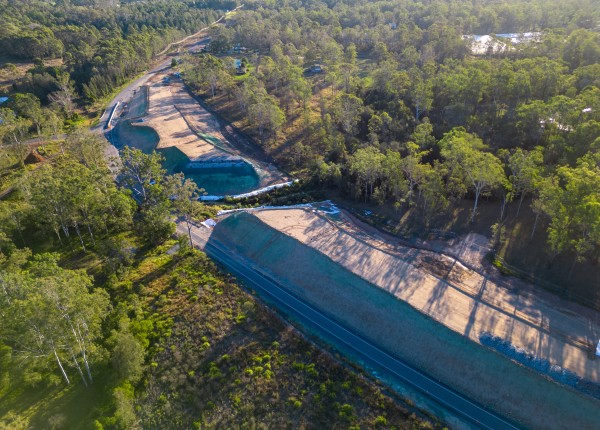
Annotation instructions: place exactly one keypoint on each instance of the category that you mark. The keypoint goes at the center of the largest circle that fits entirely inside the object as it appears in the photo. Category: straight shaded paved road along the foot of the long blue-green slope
(363, 349)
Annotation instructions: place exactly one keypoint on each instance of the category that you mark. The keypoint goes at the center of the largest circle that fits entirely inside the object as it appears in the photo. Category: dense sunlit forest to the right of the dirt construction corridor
(388, 103)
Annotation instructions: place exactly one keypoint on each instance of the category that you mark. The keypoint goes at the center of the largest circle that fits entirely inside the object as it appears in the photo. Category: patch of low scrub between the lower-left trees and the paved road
(231, 363)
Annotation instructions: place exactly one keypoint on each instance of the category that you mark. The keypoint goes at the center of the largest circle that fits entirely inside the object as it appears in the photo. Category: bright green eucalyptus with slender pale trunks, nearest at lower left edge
(51, 313)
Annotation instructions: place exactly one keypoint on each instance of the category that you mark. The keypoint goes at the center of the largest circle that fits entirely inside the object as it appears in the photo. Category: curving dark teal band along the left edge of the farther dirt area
(219, 181)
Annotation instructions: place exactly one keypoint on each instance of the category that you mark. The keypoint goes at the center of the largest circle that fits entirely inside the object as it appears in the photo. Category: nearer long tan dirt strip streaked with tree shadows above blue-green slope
(468, 302)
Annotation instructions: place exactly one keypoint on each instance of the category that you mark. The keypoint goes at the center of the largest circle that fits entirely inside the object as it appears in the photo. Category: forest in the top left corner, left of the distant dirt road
(59, 61)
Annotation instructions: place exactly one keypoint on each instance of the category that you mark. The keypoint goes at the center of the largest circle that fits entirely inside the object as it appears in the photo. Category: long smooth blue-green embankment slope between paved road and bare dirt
(477, 372)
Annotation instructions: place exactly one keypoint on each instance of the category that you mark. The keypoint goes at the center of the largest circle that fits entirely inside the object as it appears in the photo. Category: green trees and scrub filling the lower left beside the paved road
(109, 323)
